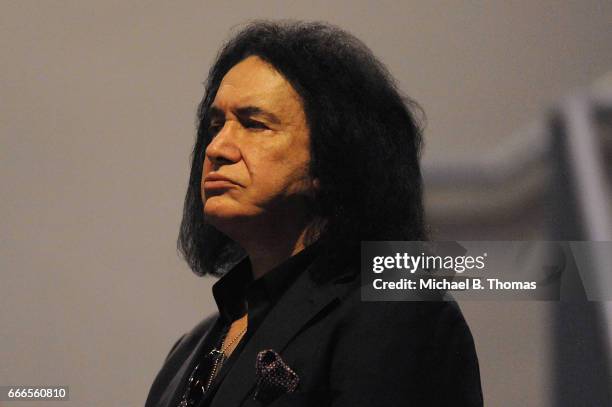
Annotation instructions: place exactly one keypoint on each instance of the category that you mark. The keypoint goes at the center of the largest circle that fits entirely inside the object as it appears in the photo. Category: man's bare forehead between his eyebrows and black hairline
(253, 82)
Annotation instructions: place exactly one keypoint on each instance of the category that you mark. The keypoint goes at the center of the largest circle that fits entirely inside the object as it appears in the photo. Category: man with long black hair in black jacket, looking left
(304, 149)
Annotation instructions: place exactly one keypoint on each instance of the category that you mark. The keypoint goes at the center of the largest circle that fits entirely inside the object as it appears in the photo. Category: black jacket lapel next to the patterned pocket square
(302, 302)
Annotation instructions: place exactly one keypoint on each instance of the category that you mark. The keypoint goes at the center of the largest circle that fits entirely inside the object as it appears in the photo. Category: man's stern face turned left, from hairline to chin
(257, 161)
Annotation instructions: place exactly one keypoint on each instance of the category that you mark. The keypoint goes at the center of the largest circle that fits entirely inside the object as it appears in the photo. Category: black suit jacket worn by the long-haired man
(346, 352)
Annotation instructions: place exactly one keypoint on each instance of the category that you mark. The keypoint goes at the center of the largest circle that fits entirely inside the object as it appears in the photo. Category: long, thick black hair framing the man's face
(365, 142)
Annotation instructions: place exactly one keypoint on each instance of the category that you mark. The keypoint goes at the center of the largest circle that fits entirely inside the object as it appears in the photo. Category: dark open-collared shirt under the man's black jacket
(237, 293)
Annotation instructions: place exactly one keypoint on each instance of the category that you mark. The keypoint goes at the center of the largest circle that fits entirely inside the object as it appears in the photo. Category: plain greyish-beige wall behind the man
(97, 110)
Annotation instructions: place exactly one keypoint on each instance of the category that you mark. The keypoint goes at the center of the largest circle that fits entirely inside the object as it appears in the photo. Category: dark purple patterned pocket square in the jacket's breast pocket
(274, 376)
